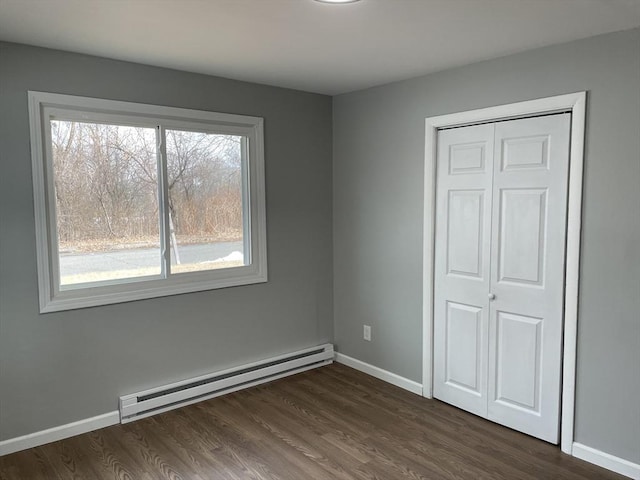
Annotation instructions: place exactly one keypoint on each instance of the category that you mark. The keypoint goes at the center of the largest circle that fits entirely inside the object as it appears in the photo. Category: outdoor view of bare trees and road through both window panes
(106, 190)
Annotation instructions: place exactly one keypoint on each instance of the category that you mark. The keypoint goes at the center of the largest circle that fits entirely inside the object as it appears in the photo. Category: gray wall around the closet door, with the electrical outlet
(378, 208)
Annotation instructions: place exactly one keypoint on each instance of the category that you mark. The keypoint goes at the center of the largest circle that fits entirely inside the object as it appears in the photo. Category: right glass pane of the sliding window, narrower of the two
(205, 200)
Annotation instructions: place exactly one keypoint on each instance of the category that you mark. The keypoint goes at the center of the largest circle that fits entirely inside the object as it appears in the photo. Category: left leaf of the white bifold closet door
(462, 266)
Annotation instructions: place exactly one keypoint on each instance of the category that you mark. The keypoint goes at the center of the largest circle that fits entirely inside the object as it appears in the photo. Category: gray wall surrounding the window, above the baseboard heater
(62, 367)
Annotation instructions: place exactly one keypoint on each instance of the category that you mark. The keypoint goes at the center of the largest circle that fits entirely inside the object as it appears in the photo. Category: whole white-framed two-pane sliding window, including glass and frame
(138, 201)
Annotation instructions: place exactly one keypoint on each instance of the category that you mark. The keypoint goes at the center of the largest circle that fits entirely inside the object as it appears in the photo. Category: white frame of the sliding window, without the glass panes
(45, 106)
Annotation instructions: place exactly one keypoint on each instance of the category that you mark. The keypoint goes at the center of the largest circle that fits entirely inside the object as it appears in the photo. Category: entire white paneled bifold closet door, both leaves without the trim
(499, 270)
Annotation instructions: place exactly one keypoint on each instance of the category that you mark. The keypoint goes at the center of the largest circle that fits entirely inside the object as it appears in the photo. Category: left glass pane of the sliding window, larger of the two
(105, 179)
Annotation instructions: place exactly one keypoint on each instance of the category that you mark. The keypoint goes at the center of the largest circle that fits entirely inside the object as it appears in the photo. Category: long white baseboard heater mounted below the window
(165, 398)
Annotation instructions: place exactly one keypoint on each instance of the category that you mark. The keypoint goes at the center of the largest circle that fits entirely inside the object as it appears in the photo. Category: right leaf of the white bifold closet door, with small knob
(527, 273)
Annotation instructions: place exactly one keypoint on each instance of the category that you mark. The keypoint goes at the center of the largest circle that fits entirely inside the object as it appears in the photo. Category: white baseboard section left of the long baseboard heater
(58, 433)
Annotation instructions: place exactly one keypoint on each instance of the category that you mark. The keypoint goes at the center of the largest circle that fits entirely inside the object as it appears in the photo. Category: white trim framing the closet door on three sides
(576, 104)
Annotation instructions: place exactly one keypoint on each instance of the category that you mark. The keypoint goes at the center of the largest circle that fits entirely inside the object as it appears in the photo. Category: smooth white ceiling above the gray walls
(307, 45)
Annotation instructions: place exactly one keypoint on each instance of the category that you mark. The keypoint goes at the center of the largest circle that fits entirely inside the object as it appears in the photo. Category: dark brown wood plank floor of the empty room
(328, 423)
